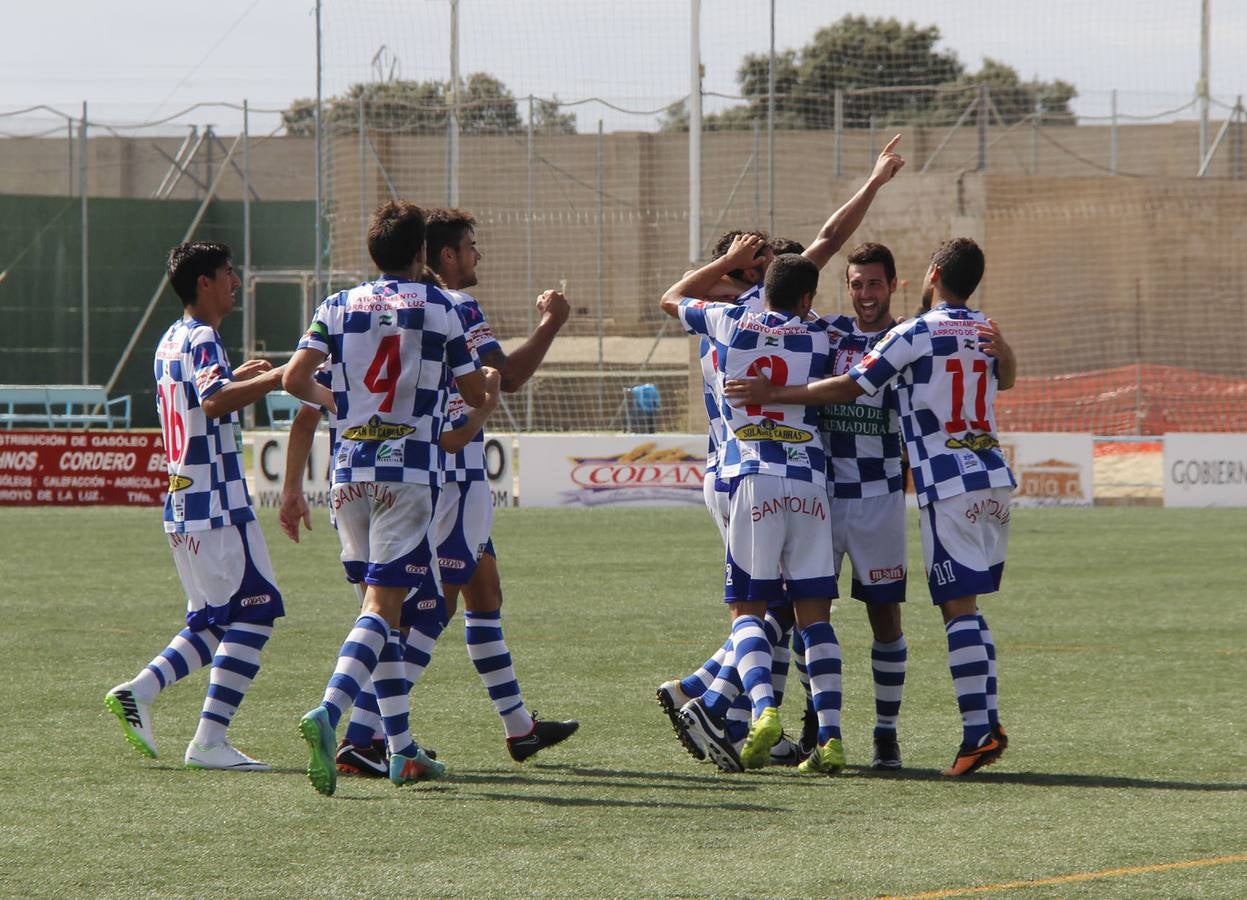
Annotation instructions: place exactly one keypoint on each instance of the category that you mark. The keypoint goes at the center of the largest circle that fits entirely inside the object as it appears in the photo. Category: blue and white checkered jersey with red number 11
(946, 391)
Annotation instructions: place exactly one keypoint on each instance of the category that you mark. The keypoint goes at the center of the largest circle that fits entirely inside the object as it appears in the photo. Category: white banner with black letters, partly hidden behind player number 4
(269, 468)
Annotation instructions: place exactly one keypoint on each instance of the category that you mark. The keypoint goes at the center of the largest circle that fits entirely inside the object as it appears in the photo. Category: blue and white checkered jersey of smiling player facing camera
(862, 439)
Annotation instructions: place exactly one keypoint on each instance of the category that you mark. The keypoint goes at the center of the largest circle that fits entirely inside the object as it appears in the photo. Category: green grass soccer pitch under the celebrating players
(1123, 640)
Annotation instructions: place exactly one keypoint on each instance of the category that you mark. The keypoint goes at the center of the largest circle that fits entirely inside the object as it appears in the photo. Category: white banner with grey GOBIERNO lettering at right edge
(1206, 471)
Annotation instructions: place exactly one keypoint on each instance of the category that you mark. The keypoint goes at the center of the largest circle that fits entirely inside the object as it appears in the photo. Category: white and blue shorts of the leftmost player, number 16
(228, 577)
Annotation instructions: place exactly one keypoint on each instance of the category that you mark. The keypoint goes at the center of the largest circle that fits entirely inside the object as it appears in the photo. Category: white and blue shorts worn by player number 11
(965, 543)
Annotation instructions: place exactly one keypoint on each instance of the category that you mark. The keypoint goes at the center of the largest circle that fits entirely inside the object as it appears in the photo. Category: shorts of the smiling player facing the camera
(872, 533)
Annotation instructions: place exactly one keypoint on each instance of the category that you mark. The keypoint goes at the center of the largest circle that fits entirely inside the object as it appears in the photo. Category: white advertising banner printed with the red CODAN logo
(613, 471)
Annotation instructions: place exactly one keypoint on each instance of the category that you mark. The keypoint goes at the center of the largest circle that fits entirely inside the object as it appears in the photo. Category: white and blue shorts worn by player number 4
(385, 532)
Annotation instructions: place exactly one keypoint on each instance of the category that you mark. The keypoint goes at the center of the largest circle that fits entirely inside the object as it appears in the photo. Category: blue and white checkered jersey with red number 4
(388, 343)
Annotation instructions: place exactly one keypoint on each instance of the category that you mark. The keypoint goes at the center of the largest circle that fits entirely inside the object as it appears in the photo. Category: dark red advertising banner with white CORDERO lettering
(82, 469)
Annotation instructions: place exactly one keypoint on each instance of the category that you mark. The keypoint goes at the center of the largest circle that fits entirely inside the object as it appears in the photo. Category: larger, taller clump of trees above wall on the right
(888, 74)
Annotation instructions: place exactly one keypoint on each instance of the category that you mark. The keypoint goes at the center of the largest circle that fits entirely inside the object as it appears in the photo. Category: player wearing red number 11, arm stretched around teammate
(946, 367)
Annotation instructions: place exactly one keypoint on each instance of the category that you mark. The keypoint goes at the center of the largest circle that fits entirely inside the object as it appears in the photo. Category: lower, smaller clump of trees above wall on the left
(487, 107)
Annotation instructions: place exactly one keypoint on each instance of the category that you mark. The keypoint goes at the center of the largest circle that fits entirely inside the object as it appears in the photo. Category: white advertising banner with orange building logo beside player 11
(1053, 468)
